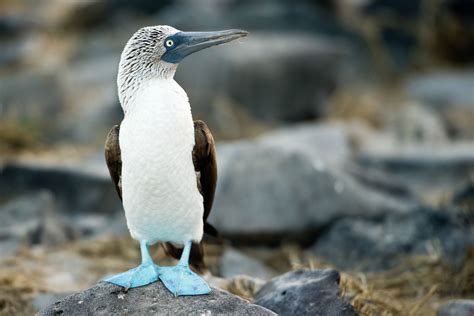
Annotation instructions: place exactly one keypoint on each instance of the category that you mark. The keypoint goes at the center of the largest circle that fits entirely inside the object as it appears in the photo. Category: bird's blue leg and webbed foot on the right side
(180, 280)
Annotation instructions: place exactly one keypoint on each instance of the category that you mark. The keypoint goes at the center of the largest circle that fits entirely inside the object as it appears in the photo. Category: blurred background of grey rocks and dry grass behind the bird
(345, 133)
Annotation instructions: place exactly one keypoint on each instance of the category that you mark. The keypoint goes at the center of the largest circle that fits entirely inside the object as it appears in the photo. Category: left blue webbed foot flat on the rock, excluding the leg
(136, 277)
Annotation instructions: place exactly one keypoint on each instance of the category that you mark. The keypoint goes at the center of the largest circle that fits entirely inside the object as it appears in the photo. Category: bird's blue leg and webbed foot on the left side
(146, 273)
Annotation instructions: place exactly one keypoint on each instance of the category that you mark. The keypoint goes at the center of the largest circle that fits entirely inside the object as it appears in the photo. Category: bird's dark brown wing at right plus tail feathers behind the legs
(205, 165)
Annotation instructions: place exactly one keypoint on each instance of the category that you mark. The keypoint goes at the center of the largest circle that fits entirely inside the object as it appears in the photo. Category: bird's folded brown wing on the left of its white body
(113, 158)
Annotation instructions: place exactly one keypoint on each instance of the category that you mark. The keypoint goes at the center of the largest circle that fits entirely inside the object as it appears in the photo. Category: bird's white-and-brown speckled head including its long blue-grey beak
(155, 51)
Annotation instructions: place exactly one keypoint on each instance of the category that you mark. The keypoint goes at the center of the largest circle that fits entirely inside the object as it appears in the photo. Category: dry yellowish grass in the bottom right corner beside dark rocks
(416, 287)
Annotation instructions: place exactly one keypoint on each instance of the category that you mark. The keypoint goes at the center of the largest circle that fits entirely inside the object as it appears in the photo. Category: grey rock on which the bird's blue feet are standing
(106, 299)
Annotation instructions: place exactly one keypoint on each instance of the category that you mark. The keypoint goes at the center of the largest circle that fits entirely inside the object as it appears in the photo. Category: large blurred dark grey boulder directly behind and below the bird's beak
(238, 72)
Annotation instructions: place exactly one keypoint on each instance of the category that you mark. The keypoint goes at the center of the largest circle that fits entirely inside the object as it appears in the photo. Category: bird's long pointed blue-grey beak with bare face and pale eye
(183, 44)
